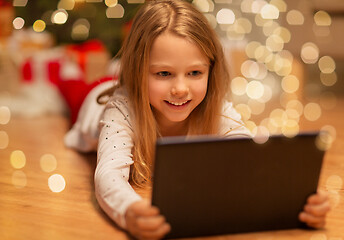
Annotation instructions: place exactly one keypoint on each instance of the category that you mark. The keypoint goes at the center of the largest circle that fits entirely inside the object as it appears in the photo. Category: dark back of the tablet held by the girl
(213, 186)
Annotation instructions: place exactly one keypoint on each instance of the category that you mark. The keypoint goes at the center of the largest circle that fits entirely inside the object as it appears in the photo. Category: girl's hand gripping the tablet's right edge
(315, 210)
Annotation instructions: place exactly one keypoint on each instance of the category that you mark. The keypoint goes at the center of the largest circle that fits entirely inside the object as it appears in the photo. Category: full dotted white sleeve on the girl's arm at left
(114, 157)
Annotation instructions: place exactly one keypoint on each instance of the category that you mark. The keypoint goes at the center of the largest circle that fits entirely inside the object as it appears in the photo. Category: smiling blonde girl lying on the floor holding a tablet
(173, 81)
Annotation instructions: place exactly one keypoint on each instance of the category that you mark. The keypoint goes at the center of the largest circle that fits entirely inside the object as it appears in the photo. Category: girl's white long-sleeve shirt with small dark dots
(115, 143)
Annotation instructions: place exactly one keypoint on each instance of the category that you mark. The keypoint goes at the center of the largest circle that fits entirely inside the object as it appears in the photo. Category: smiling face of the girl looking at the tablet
(177, 80)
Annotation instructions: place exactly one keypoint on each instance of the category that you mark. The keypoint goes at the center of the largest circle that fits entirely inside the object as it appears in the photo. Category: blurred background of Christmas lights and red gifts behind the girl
(285, 57)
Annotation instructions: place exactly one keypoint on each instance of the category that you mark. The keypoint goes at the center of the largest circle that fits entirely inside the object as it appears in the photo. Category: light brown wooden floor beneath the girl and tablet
(30, 210)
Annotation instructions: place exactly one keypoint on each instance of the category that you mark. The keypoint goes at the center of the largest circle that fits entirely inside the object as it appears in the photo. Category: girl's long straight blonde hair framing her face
(182, 19)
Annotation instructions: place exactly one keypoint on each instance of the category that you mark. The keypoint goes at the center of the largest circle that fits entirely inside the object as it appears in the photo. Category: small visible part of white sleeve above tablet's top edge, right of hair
(231, 124)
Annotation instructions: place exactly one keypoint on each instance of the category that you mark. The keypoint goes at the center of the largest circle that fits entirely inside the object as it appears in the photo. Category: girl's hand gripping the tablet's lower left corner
(145, 222)
